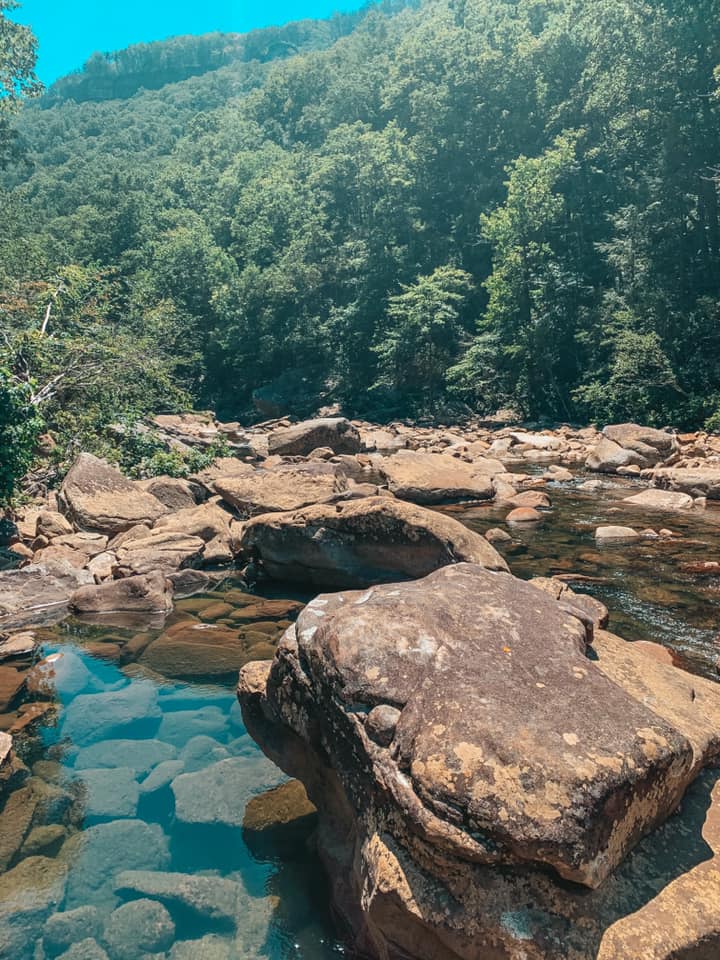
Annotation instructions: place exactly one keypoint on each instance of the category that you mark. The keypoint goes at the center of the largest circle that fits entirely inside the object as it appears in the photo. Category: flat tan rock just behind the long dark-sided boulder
(268, 491)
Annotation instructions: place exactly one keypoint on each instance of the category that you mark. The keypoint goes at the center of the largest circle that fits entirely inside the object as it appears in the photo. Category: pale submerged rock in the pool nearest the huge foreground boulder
(217, 794)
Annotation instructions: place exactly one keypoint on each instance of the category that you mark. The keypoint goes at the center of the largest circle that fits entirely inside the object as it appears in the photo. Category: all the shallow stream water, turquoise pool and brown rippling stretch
(150, 766)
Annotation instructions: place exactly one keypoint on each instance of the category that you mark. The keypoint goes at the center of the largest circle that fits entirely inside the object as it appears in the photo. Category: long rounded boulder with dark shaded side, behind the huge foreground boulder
(361, 542)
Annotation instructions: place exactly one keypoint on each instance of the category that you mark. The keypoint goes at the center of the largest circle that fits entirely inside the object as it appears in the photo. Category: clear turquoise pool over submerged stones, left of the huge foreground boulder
(154, 774)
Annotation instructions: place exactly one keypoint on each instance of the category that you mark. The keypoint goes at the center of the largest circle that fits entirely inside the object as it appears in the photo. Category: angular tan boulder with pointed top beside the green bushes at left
(98, 497)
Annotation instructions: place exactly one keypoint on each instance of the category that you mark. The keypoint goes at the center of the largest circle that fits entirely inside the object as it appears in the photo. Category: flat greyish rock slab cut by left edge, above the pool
(38, 592)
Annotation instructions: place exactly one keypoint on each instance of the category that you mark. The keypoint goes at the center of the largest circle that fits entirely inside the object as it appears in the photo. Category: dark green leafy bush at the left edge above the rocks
(20, 426)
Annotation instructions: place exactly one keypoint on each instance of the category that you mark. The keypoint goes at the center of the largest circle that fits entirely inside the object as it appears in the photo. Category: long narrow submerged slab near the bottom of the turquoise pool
(210, 898)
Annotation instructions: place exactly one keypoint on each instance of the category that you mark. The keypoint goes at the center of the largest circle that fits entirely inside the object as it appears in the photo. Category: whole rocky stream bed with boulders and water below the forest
(146, 813)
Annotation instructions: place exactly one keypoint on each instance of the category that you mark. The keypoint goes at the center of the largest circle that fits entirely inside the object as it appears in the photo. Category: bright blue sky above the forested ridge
(70, 30)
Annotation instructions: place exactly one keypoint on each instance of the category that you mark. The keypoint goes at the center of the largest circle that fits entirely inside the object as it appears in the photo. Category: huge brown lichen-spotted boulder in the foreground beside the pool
(527, 759)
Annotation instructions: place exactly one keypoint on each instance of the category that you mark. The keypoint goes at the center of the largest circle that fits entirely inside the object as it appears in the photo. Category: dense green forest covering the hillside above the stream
(483, 203)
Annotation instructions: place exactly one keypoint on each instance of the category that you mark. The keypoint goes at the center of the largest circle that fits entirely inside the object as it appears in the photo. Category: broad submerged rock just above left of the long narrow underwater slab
(100, 852)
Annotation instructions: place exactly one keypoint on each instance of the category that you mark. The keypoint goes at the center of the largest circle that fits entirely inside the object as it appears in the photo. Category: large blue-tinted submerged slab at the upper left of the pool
(99, 715)
